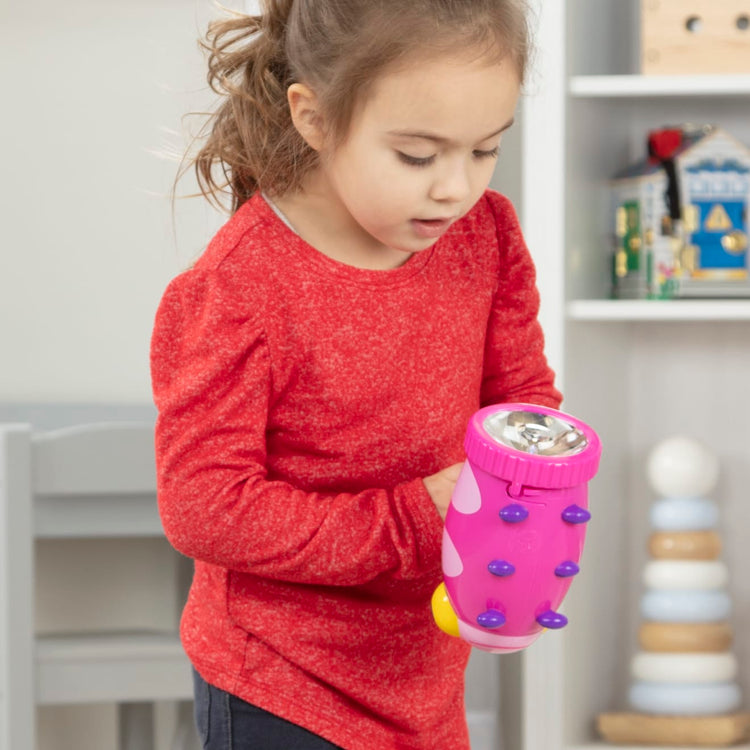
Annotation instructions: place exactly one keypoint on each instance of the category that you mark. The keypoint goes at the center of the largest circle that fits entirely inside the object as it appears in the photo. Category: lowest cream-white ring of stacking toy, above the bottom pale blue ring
(684, 668)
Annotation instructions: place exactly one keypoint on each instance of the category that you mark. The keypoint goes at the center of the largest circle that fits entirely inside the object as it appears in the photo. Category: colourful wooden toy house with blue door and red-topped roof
(681, 218)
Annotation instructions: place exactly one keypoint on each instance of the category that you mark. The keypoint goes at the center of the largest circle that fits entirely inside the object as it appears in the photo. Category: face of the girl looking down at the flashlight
(421, 150)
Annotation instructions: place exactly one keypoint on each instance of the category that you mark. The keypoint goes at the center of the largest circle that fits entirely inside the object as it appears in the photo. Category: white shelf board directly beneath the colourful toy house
(659, 310)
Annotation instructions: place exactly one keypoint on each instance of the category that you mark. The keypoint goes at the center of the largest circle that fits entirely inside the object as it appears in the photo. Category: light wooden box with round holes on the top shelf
(695, 36)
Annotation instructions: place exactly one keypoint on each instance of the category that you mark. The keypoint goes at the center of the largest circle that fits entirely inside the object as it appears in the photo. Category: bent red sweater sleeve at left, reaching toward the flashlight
(212, 379)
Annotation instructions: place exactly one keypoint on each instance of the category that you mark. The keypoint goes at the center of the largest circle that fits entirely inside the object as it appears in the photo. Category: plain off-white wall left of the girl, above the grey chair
(90, 89)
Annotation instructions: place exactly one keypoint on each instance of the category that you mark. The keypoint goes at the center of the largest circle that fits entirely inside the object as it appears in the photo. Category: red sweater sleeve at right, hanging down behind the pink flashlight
(515, 367)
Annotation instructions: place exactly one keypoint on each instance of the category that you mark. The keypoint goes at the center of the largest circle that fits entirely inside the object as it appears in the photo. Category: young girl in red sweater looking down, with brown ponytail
(315, 370)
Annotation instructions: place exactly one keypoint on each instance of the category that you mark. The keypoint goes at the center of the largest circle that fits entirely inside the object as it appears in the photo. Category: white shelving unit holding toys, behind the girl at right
(638, 371)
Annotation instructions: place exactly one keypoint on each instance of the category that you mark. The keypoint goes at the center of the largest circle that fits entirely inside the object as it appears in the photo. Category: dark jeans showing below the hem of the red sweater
(225, 722)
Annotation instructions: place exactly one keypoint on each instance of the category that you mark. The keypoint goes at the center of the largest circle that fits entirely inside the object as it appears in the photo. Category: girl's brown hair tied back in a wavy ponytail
(338, 48)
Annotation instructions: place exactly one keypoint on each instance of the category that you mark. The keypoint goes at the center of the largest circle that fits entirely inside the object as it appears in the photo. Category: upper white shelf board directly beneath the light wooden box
(619, 86)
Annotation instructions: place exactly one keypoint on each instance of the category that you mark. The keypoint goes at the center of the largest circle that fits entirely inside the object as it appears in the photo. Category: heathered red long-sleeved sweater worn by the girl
(301, 401)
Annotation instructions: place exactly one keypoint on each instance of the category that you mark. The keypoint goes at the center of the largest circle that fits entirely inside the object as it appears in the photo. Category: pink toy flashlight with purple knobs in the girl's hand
(515, 526)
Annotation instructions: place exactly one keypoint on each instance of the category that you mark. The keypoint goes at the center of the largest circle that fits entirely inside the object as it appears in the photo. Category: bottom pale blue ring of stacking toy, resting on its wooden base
(685, 700)
